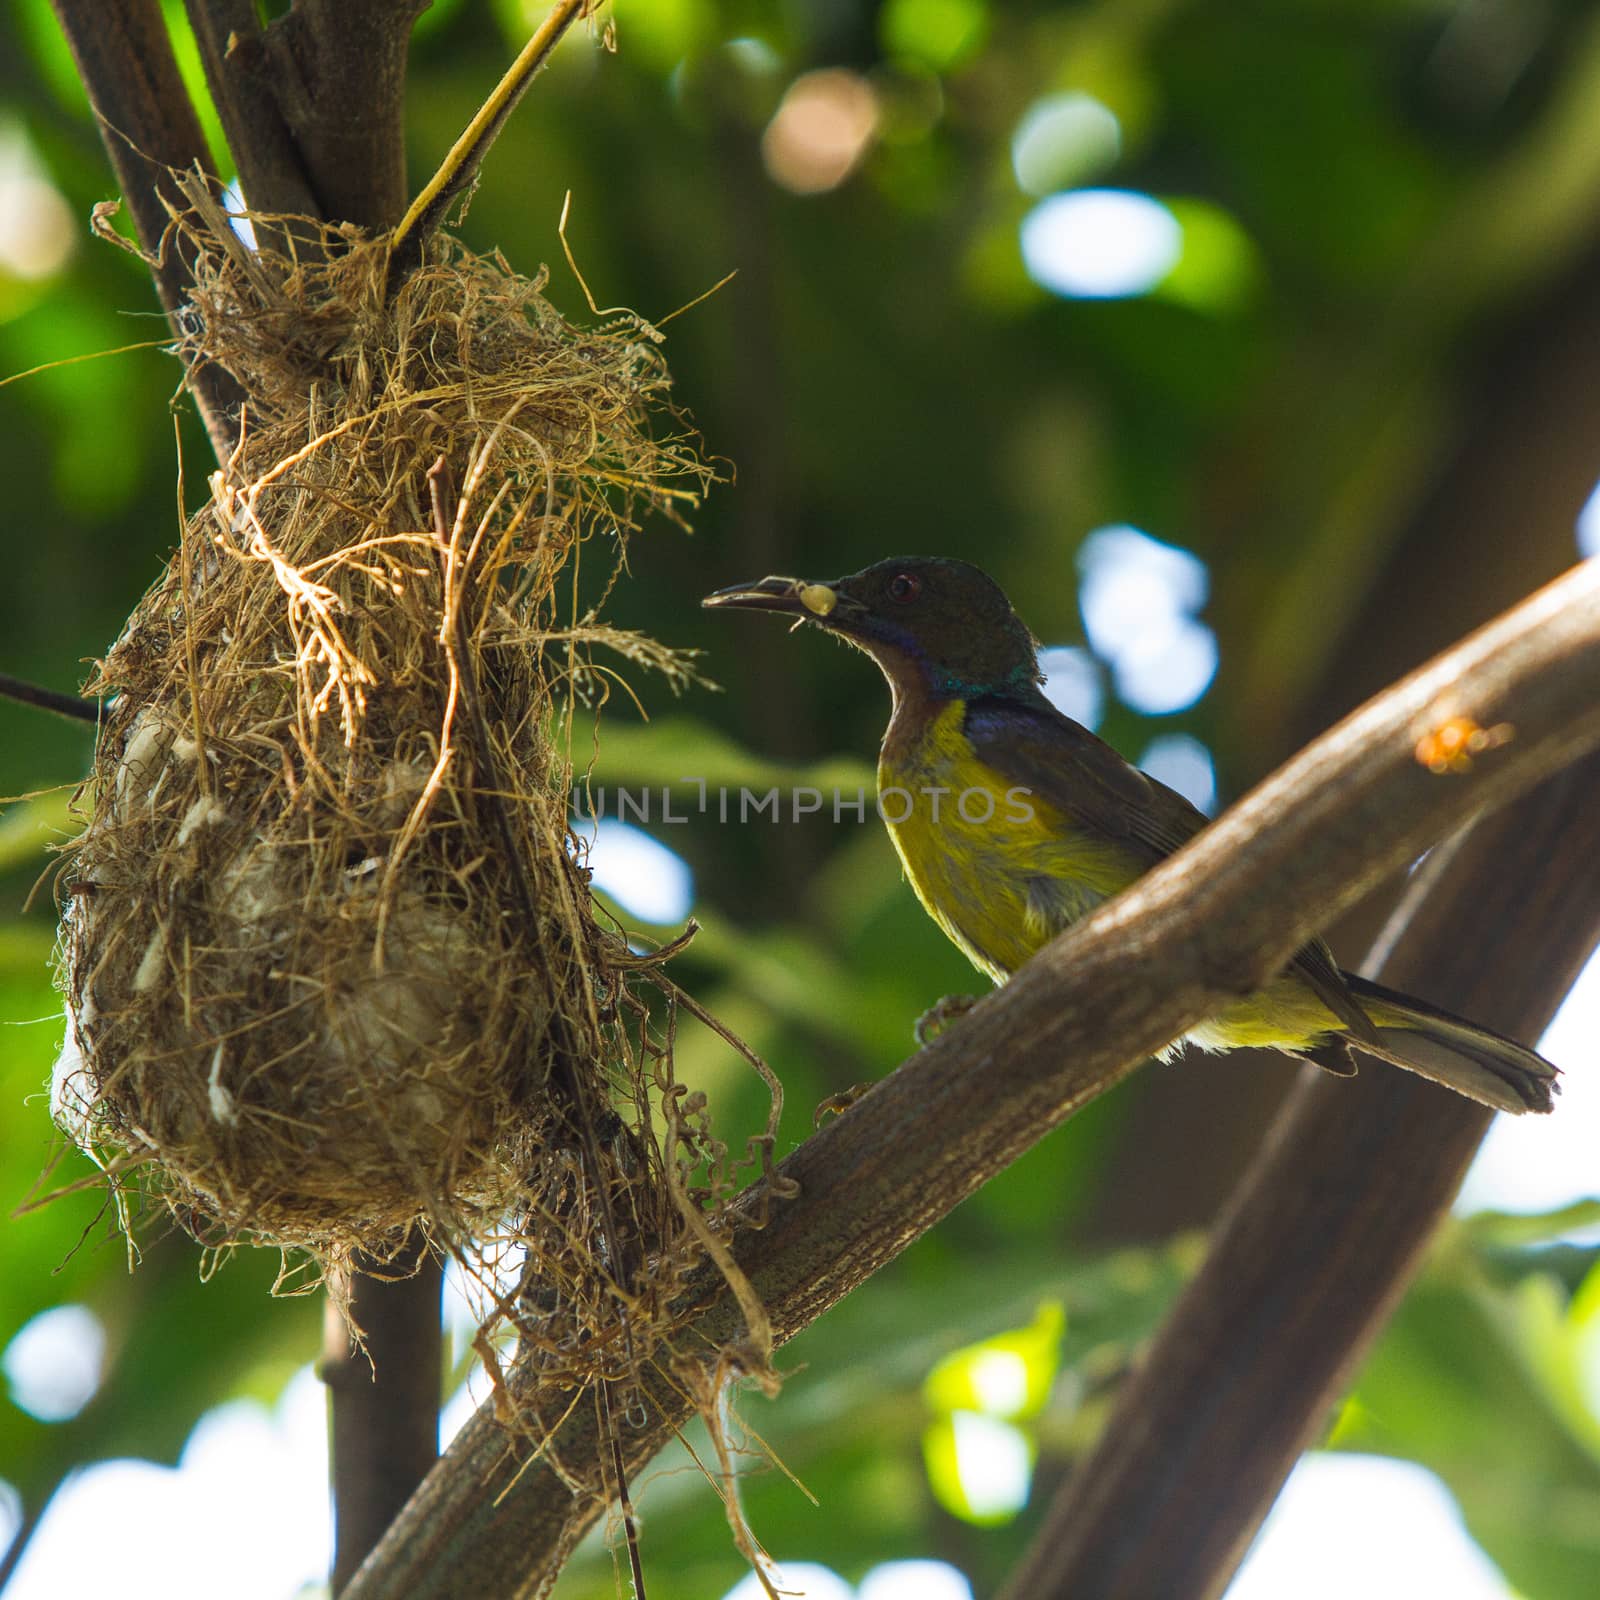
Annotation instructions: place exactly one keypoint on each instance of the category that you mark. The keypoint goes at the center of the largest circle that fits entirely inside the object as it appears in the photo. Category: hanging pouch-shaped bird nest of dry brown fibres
(332, 966)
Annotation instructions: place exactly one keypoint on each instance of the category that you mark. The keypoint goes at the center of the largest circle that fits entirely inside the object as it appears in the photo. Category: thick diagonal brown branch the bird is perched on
(1206, 927)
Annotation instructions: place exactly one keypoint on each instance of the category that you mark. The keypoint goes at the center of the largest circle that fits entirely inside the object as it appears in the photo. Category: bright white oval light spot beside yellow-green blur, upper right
(1100, 244)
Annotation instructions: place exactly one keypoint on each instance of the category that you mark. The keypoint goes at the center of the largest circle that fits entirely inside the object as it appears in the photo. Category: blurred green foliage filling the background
(1372, 194)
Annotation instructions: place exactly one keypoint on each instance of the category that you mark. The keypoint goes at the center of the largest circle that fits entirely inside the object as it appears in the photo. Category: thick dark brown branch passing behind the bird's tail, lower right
(1326, 1231)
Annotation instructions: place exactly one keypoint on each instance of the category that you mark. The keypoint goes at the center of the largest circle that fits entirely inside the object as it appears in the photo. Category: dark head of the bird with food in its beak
(932, 625)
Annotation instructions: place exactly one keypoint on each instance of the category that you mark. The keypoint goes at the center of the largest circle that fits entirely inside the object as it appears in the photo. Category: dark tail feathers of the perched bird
(1463, 1057)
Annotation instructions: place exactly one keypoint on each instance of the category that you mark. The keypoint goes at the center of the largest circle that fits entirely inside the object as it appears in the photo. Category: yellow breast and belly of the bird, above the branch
(996, 868)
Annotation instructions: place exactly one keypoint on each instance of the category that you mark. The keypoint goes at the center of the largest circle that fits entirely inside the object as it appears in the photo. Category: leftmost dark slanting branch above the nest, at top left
(150, 127)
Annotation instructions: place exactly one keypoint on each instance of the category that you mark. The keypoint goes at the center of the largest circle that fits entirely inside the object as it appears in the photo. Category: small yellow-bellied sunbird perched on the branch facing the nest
(1063, 823)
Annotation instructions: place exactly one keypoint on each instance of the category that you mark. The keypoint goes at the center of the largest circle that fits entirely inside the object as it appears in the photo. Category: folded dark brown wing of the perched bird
(1039, 750)
